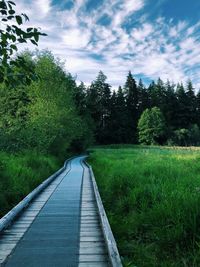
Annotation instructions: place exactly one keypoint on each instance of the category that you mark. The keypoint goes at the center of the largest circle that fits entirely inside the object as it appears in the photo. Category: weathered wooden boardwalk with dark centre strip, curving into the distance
(64, 225)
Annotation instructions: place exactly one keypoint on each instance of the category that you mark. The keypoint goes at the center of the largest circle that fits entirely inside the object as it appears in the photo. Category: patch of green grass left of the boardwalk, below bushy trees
(20, 174)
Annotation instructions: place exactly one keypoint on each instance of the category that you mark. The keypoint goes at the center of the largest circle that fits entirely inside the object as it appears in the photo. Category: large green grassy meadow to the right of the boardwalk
(152, 198)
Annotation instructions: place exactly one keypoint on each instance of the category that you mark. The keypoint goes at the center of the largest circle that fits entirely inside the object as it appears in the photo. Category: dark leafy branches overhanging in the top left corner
(14, 70)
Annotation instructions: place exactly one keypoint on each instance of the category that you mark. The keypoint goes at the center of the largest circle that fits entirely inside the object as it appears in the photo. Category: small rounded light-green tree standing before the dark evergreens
(151, 126)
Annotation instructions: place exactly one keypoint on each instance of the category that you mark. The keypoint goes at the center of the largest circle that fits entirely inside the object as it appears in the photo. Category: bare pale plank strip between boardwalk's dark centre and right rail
(92, 250)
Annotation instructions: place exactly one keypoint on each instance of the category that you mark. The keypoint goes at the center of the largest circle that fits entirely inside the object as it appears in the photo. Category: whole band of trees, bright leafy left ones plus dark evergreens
(54, 115)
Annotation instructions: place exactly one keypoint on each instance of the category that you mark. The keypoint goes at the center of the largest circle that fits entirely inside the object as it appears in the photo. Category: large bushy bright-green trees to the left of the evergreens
(43, 115)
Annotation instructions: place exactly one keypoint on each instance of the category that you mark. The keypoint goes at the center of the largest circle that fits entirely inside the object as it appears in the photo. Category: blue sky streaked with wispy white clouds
(150, 38)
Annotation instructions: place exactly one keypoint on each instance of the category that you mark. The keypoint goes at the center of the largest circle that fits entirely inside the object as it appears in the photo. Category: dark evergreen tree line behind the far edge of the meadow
(115, 114)
